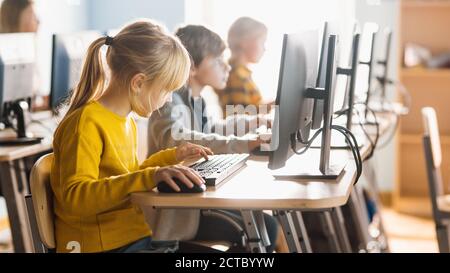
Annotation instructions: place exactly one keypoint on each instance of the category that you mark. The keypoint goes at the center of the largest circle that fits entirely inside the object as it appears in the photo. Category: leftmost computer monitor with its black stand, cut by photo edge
(17, 71)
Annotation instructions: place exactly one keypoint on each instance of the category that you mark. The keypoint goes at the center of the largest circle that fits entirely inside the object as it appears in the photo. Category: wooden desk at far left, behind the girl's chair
(15, 185)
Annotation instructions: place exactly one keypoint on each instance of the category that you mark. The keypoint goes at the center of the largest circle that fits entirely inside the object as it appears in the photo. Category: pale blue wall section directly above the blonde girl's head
(112, 14)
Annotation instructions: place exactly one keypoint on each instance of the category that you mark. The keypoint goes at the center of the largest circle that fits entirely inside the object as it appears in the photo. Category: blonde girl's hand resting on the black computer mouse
(186, 175)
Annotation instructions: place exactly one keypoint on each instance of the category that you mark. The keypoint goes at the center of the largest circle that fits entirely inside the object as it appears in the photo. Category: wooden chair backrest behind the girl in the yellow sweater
(42, 195)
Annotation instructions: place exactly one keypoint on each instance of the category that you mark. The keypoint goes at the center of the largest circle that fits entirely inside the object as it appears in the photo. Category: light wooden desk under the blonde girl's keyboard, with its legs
(254, 189)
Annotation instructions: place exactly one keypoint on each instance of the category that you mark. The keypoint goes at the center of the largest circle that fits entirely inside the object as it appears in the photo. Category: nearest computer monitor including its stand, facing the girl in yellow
(296, 86)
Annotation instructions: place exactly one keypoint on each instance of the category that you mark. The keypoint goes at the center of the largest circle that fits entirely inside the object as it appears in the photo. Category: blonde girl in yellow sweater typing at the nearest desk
(95, 166)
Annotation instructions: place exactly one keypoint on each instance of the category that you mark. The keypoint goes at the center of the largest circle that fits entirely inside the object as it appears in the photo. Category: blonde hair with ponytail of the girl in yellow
(141, 47)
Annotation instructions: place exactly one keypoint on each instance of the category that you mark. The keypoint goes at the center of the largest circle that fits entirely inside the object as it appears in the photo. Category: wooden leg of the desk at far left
(17, 213)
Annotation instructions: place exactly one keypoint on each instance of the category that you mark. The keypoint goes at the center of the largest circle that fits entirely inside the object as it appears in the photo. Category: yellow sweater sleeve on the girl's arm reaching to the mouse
(82, 192)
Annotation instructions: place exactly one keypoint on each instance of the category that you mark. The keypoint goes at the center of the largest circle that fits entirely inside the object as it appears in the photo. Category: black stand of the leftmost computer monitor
(19, 108)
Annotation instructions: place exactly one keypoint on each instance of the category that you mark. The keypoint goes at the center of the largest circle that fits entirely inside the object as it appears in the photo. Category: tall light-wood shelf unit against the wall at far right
(422, 22)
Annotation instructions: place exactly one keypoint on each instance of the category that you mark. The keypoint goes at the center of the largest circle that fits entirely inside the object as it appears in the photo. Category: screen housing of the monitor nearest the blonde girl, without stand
(298, 71)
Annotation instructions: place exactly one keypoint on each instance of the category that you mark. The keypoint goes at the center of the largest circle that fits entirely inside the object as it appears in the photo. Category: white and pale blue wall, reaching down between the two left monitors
(58, 16)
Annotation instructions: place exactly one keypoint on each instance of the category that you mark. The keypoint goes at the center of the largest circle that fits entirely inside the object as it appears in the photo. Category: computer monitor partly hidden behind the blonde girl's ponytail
(69, 51)
